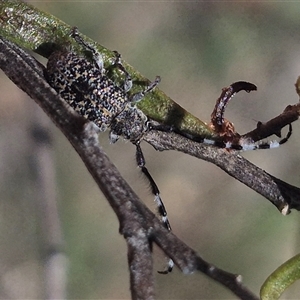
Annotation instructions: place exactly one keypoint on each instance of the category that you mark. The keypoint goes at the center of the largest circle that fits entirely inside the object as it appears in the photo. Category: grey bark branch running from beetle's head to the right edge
(283, 195)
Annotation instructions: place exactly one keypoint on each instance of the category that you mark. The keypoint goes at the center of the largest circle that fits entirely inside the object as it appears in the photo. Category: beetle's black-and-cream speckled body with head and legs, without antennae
(86, 88)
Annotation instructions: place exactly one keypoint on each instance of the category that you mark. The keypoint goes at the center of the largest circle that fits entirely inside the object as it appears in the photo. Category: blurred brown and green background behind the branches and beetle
(197, 48)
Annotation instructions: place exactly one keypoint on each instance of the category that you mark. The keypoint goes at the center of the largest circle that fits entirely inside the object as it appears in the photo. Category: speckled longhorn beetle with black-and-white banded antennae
(85, 86)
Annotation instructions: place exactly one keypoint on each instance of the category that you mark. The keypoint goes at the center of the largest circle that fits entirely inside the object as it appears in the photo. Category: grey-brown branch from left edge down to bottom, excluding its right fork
(27, 74)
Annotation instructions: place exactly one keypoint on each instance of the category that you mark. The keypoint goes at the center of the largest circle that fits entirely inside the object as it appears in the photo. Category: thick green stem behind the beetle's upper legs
(35, 30)
